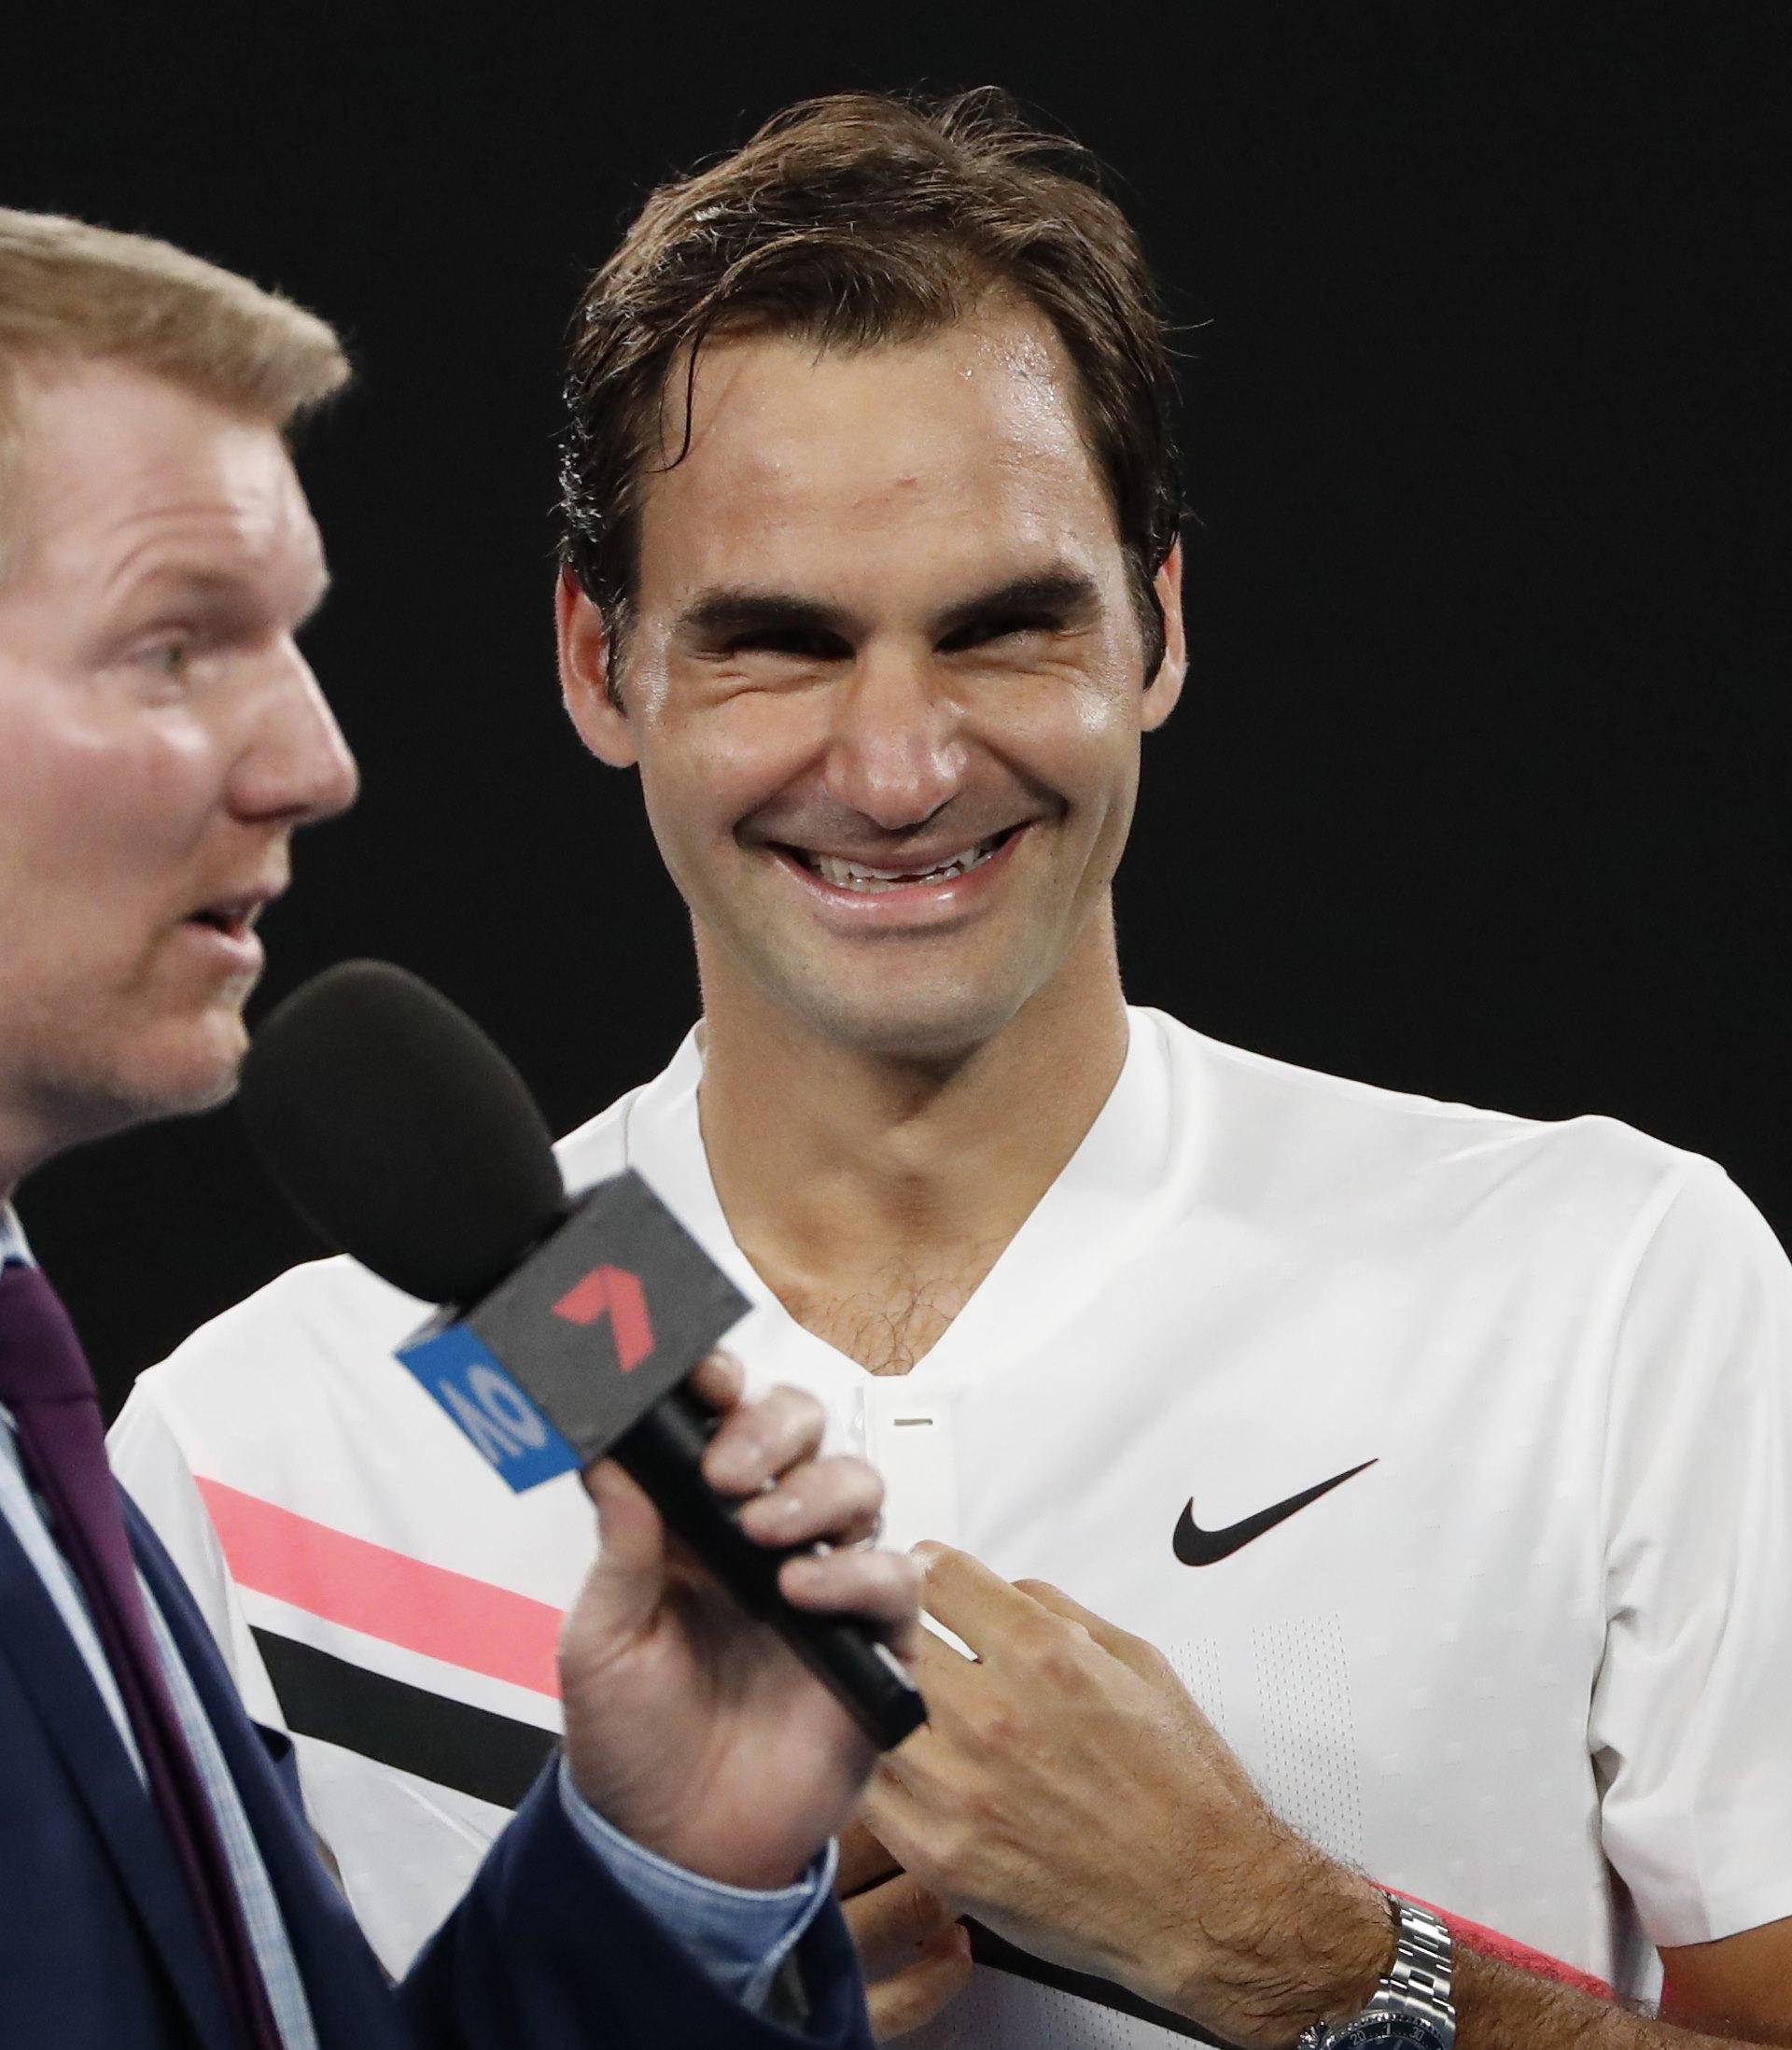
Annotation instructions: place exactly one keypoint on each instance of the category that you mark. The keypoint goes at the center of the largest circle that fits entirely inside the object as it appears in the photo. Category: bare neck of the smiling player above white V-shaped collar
(883, 1190)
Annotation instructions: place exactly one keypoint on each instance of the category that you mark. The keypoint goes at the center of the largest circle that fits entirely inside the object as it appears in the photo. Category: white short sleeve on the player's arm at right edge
(1693, 1709)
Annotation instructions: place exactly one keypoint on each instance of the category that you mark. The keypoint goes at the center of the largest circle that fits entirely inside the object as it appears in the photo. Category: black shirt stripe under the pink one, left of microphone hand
(487, 1756)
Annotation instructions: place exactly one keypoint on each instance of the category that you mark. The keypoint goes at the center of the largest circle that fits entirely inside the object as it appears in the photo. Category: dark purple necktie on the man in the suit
(50, 1389)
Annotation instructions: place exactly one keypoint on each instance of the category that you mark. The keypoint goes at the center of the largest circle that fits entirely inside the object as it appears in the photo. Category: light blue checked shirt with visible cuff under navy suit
(741, 1938)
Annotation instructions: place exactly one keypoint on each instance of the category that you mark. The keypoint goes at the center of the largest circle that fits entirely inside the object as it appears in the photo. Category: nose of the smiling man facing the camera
(895, 747)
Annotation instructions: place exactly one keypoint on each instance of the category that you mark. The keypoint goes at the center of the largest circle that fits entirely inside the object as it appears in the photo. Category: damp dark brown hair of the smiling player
(862, 220)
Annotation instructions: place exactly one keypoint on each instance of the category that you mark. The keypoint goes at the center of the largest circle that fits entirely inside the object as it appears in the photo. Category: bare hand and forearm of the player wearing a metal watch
(1071, 1795)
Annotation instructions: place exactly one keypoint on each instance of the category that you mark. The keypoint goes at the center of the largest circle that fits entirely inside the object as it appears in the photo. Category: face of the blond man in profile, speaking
(163, 737)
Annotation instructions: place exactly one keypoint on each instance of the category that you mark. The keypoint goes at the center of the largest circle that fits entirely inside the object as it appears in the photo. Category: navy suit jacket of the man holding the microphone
(99, 1949)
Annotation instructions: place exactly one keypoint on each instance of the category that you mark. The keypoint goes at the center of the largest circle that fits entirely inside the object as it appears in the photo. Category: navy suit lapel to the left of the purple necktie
(54, 1678)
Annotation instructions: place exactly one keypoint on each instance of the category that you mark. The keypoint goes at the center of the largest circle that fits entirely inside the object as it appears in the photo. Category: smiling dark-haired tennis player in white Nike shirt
(1336, 1491)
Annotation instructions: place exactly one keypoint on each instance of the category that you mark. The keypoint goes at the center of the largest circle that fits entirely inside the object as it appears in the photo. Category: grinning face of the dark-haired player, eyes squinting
(885, 684)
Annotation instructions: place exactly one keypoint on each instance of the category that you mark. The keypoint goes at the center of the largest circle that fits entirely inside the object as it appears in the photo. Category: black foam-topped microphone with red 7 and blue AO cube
(569, 1323)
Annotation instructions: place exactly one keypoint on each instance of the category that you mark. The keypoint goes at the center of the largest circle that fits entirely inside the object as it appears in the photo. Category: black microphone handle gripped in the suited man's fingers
(663, 1452)
